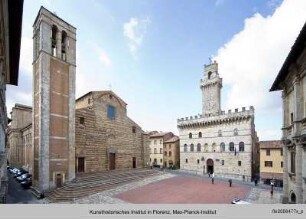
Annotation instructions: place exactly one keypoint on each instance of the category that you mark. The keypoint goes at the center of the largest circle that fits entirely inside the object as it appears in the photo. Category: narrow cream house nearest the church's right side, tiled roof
(157, 140)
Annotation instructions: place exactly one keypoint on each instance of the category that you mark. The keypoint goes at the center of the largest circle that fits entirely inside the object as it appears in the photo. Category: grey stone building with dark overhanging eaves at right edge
(291, 81)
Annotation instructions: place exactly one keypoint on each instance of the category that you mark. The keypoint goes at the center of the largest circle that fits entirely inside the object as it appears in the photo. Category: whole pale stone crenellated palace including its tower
(217, 142)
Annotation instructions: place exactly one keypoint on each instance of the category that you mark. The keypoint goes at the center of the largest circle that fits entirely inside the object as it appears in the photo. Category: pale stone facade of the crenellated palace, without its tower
(216, 130)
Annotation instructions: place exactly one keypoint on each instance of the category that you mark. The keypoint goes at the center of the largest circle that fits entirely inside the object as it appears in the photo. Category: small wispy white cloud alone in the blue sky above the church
(134, 31)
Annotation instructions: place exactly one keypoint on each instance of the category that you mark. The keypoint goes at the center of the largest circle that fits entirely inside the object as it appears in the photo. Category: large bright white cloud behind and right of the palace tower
(250, 61)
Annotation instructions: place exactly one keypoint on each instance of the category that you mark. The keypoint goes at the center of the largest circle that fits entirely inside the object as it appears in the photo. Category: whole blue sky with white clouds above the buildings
(151, 53)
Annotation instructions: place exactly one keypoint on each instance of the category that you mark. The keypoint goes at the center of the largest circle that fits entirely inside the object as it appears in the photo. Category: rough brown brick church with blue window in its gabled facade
(106, 138)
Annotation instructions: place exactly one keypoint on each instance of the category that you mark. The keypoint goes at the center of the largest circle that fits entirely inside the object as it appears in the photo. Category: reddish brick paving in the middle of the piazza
(187, 190)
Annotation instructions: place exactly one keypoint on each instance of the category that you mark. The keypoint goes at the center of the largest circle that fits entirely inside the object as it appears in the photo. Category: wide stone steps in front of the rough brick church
(91, 183)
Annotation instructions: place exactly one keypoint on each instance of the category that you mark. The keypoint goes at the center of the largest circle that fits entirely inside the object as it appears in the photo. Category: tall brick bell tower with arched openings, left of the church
(54, 65)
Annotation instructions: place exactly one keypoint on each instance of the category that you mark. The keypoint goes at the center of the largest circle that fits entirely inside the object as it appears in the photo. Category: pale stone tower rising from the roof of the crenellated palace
(211, 86)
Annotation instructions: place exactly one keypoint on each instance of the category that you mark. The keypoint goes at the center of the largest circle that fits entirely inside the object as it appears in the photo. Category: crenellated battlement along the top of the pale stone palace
(219, 116)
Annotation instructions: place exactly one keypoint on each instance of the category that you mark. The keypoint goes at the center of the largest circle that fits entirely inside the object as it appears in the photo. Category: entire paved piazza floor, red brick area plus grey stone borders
(182, 189)
